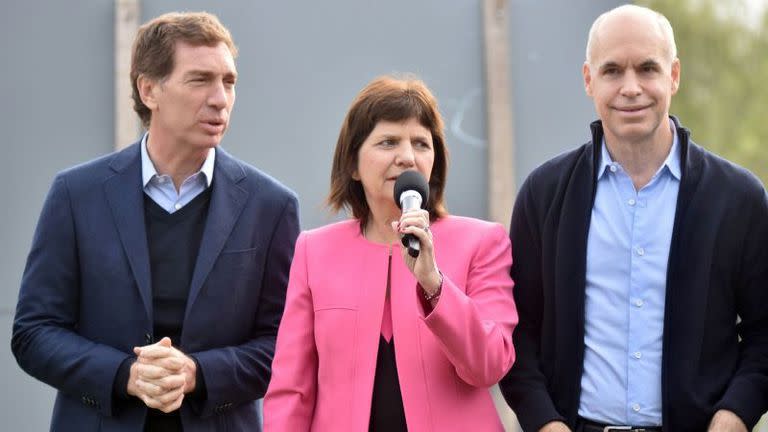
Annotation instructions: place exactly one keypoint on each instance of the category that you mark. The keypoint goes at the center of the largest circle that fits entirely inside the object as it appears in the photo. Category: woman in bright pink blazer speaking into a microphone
(372, 338)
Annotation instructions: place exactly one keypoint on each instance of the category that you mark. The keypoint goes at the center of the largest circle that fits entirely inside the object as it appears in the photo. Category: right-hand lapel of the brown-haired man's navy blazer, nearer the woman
(227, 202)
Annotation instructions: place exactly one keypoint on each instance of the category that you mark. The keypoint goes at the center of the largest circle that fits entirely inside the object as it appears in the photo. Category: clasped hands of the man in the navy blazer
(161, 375)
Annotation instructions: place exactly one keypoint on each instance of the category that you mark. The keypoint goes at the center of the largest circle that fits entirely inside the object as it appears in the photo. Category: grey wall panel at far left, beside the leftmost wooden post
(56, 92)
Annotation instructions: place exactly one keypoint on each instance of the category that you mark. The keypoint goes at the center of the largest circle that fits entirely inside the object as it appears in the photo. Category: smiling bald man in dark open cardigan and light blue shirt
(640, 262)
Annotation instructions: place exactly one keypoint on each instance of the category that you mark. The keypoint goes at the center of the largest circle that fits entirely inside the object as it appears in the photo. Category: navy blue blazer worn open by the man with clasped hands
(86, 300)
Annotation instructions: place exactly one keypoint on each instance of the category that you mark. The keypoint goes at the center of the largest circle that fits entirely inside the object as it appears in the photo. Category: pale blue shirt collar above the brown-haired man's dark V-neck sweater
(160, 187)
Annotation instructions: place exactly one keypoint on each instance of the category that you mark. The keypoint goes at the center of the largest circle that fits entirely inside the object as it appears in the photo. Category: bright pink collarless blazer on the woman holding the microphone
(322, 374)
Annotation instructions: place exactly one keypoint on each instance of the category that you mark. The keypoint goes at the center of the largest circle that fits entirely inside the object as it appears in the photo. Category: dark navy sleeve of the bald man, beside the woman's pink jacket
(525, 386)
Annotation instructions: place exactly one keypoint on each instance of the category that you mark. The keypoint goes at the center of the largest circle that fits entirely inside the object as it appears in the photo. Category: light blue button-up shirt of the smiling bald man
(627, 253)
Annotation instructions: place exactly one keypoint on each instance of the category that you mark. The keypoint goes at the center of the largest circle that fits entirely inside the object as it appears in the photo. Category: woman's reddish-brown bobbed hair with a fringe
(391, 99)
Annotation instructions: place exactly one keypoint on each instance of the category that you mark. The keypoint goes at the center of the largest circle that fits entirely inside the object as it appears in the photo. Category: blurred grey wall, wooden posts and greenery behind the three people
(507, 75)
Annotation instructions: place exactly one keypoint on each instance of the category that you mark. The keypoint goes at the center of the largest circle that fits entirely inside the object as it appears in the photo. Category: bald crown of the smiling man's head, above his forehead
(639, 15)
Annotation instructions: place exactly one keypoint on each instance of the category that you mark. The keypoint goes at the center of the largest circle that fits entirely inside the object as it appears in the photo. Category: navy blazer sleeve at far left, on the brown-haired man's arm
(45, 341)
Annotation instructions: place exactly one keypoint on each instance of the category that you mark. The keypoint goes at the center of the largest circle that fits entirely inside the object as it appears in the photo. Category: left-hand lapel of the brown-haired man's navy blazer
(125, 196)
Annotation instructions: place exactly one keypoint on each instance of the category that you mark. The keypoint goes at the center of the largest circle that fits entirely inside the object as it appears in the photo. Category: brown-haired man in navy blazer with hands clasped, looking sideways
(156, 279)
